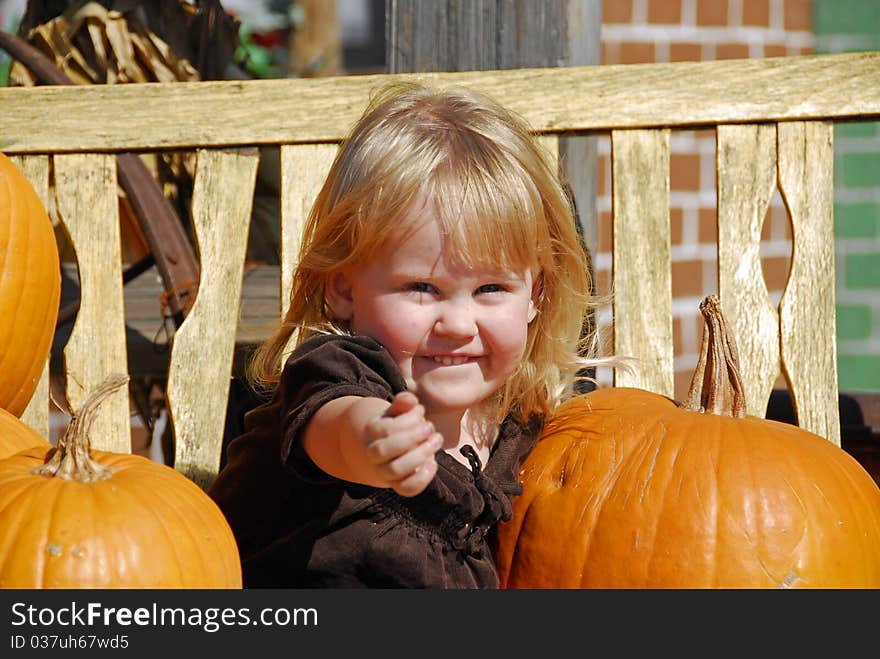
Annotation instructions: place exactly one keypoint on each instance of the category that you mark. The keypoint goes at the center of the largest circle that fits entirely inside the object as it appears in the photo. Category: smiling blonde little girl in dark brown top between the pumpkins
(436, 321)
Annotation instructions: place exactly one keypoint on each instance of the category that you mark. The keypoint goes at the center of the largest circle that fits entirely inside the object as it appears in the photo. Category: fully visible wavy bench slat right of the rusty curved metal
(201, 359)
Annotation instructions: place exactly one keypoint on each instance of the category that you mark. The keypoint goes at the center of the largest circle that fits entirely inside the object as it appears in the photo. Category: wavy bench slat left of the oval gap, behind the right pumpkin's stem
(746, 175)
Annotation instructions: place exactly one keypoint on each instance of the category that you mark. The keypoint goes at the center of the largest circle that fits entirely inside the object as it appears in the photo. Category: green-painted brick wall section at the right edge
(852, 25)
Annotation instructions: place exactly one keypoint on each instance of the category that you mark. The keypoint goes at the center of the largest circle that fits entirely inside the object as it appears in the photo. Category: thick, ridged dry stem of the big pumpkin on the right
(716, 387)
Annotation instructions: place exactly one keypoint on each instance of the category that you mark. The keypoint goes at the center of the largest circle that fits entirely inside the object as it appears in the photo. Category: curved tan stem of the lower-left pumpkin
(72, 459)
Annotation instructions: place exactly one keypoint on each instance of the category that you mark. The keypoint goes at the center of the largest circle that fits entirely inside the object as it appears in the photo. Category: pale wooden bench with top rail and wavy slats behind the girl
(774, 124)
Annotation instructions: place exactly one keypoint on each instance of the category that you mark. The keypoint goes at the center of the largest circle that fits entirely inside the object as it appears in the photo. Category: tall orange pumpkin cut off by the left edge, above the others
(30, 287)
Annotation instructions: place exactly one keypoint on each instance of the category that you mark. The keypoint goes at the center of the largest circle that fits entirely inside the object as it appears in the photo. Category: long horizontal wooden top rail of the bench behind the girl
(159, 116)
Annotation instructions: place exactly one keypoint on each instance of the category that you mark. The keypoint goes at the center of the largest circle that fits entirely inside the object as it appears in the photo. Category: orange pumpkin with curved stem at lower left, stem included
(76, 518)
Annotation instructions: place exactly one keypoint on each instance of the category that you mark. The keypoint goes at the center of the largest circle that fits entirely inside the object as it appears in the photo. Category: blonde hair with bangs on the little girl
(498, 198)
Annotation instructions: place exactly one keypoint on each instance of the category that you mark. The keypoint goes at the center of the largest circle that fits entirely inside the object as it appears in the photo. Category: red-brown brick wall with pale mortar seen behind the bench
(639, 31)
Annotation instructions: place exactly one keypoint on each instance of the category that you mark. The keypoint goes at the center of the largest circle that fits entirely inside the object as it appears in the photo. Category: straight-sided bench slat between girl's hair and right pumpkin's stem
(642, 265)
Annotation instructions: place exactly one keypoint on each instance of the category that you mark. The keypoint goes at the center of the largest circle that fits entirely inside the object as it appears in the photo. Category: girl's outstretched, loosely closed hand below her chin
(401, 445)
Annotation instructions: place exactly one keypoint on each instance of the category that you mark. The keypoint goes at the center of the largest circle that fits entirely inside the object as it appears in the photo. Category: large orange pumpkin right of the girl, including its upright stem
(627, 489)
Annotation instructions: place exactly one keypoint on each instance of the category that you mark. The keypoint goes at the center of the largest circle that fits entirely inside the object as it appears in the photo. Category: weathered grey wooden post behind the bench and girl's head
(456, 35)
